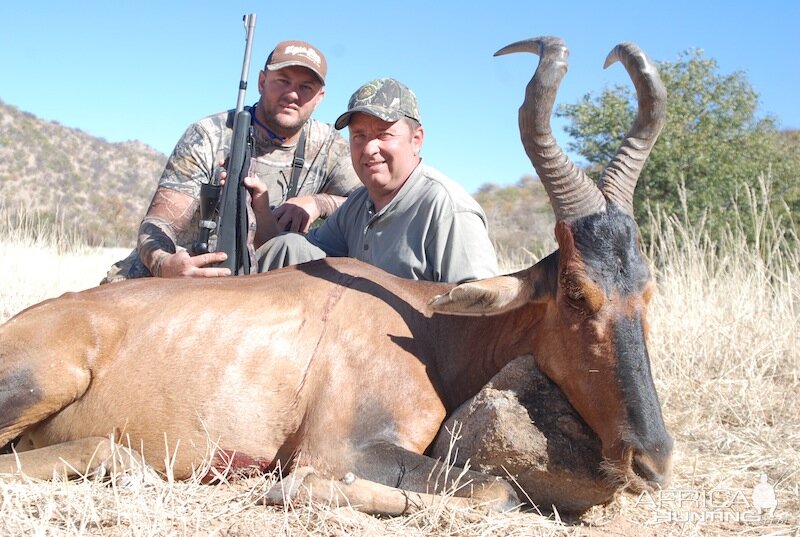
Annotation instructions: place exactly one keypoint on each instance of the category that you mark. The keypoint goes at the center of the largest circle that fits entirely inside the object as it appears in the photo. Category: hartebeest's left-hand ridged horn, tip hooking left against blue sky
(572, 193)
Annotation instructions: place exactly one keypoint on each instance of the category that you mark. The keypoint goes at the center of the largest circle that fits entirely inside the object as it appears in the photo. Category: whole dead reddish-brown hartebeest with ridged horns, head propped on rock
(350, 367)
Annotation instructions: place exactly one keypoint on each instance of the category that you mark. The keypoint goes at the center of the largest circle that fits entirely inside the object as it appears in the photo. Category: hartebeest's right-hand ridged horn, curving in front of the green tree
(619, 178)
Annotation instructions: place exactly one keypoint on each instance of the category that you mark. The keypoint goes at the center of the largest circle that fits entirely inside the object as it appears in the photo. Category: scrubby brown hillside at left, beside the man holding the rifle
(101, 188)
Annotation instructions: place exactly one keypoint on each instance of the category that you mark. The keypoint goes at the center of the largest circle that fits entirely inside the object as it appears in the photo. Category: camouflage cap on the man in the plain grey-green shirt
(384, 98)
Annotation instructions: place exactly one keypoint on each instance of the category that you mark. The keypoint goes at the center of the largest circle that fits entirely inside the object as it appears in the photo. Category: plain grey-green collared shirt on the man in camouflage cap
(432, 230)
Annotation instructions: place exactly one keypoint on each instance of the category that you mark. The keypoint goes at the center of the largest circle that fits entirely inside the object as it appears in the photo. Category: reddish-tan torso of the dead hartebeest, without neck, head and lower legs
(252, 364)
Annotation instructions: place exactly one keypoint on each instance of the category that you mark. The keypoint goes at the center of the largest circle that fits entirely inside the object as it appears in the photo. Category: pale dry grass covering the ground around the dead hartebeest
(725, 359)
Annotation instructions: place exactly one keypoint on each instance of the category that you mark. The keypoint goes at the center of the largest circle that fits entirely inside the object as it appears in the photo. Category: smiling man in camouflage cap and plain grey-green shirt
(408, 218)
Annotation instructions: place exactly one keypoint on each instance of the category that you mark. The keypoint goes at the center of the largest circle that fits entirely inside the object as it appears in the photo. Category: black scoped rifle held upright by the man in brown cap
(224, 208)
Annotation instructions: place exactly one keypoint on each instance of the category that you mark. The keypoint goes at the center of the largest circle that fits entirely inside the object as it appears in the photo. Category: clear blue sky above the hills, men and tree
(144, 70)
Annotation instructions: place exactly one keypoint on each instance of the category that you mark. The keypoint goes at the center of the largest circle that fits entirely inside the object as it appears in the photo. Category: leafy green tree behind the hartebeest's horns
(713, 142)
